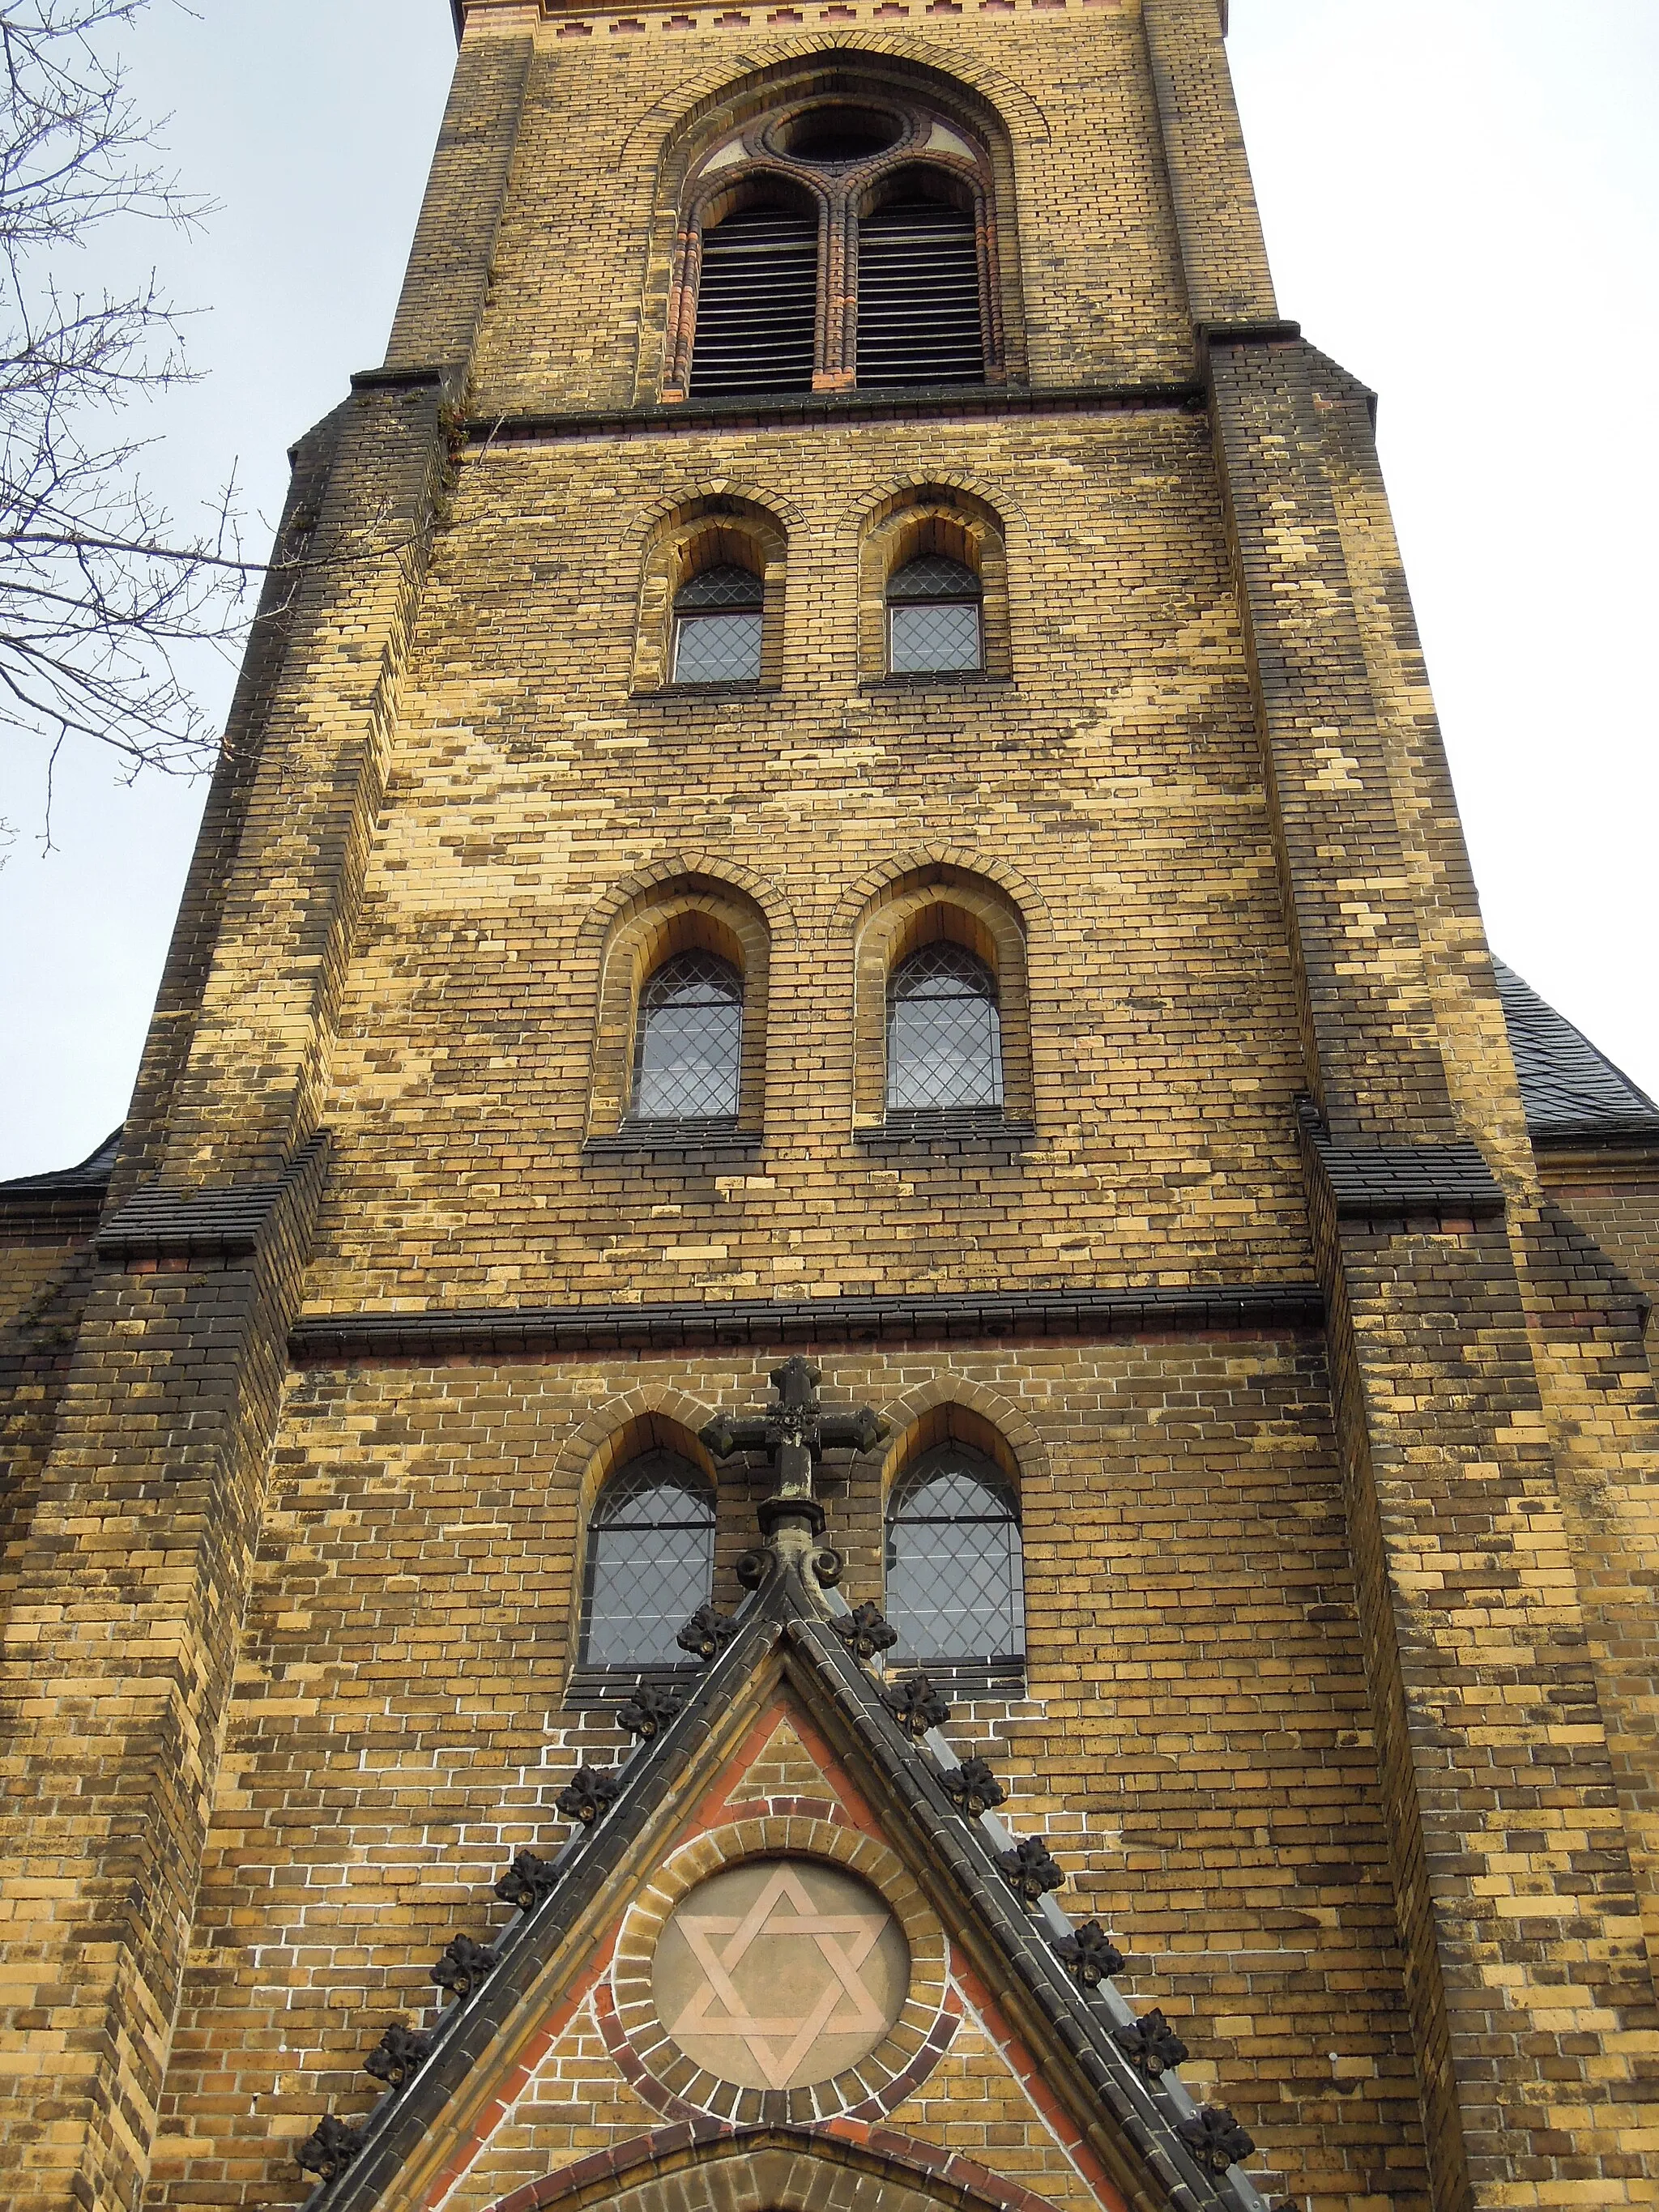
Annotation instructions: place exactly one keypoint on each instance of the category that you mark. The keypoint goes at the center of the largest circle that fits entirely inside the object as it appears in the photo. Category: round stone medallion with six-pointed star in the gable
(780, 1972)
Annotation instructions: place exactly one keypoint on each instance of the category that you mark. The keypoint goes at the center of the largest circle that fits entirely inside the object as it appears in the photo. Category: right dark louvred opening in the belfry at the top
(919, 298)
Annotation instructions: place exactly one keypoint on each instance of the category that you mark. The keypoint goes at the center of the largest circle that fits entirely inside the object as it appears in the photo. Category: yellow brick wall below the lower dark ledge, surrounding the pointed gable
(1196, 1726)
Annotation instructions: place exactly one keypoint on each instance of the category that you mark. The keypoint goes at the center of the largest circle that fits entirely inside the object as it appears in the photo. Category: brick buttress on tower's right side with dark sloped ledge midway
(1527, 1972)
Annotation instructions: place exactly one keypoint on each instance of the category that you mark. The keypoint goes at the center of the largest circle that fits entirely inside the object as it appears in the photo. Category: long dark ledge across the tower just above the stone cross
(541, 1331)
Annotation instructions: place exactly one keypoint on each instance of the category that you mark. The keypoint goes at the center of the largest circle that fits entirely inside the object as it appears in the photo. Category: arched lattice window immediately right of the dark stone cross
(954, 1563)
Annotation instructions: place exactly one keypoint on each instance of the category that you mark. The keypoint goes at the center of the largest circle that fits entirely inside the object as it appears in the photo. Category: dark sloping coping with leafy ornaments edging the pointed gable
(782, 1623)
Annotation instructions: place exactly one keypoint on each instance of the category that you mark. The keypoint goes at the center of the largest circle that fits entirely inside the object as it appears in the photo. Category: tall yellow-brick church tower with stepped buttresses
(835, 1430)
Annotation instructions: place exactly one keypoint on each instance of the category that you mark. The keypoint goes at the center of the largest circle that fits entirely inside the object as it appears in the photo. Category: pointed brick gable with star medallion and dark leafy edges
(678, 1906)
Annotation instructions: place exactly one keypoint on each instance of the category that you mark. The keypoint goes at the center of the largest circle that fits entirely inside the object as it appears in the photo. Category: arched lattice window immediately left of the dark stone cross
(651, 1563)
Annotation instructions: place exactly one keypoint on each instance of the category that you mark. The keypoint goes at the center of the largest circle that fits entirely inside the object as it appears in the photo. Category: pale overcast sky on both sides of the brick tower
(1461, 205)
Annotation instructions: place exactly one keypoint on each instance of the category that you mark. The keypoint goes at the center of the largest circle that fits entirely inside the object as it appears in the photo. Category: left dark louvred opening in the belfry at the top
(758, 304)
